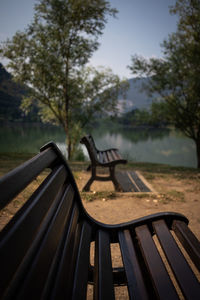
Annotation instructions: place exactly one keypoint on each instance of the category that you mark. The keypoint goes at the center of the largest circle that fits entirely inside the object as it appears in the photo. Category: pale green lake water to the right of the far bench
(146, 145)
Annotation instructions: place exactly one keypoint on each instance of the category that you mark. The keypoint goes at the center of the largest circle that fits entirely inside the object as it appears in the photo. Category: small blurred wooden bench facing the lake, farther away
(104, 158)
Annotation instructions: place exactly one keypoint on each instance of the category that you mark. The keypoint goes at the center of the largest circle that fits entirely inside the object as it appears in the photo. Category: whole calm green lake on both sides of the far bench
(143, 145)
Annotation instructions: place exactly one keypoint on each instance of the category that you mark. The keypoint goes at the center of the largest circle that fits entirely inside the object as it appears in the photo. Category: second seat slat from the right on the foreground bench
(184, 275)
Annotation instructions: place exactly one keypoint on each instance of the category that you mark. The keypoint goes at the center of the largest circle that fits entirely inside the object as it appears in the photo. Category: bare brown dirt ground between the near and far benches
(173, 193)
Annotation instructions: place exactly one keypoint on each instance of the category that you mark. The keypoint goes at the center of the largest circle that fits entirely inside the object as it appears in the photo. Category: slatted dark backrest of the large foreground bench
(48, 232)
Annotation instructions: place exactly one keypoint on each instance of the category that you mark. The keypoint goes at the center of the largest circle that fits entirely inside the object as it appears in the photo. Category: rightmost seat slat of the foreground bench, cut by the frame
(189, 241)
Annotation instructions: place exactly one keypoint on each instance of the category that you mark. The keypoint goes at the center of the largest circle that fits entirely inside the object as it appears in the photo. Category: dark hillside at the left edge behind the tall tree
(11, 94)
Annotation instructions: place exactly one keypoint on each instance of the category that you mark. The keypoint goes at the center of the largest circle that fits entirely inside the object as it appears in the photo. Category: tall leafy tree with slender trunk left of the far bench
(51, 55)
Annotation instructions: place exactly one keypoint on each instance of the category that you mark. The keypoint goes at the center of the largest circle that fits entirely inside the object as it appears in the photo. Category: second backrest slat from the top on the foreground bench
(22, 229)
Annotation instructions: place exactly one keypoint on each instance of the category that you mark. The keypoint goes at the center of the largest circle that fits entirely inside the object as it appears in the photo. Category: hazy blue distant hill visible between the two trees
(136, 98)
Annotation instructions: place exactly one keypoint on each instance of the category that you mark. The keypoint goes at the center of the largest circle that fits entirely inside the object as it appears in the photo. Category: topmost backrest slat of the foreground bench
(14, 182)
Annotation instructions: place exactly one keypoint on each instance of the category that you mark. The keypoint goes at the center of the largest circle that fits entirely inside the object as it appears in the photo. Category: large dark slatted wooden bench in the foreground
(45, 248)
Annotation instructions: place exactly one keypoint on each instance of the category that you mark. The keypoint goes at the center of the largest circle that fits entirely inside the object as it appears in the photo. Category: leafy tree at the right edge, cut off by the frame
(176, 76)
